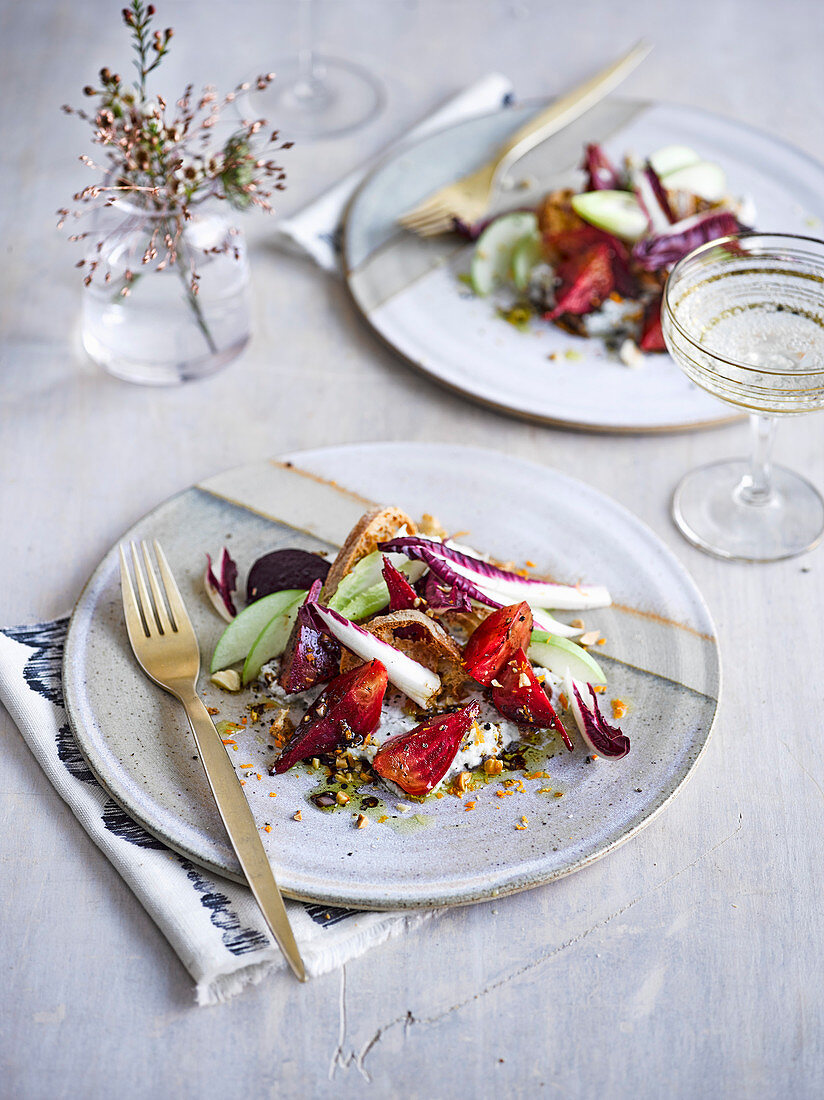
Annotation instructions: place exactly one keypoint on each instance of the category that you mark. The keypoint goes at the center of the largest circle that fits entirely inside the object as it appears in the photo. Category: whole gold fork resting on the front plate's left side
(164, 643)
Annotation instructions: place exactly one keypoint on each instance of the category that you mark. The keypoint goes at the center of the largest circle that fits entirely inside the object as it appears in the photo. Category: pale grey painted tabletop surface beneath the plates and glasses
(686, 964)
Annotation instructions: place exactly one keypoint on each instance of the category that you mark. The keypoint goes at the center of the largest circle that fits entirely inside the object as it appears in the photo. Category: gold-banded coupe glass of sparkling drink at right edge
(744, 320)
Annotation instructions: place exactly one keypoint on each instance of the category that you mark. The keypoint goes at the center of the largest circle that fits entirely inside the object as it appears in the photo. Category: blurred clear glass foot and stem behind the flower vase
(316, 96)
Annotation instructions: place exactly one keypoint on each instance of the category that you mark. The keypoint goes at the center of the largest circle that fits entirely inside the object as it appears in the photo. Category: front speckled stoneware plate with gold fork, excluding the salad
(661, 655)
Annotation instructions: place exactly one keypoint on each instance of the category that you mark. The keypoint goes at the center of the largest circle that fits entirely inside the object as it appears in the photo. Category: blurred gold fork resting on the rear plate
(468, 200)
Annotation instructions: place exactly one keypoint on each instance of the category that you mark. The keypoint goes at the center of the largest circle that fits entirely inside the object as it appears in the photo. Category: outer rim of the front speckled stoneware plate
(462, 897)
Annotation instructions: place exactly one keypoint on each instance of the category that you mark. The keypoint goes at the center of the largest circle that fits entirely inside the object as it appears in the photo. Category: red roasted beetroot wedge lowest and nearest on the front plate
(418, 762)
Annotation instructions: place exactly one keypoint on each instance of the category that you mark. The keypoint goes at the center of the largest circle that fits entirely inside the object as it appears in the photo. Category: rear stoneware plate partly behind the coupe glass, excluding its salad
(410, 292)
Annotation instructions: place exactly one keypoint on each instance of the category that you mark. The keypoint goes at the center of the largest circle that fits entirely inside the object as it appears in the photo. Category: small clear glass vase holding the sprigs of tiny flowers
(142, 318)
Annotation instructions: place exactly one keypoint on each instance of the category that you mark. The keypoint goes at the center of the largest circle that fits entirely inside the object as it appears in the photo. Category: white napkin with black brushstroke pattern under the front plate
(213, 925)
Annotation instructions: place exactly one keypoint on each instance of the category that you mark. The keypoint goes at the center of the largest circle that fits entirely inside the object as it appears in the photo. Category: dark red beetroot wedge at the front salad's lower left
(345, 713)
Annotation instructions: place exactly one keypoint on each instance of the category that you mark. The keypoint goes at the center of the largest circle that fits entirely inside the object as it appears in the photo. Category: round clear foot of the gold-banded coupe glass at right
(711, 510)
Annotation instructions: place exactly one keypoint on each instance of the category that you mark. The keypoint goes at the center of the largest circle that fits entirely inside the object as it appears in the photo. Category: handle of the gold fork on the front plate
(241, 828)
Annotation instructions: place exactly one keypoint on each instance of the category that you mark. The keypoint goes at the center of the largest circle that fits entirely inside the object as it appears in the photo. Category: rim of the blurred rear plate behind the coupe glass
(457, 390)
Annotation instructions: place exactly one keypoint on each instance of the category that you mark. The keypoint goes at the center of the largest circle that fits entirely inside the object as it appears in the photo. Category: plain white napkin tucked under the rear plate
(316, 229)
